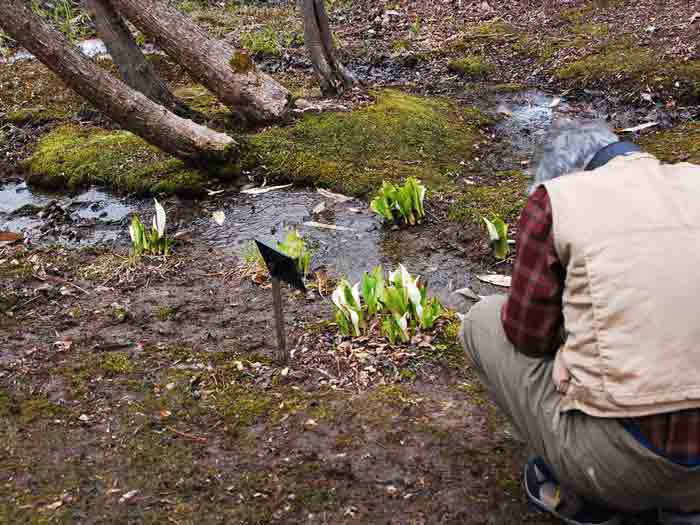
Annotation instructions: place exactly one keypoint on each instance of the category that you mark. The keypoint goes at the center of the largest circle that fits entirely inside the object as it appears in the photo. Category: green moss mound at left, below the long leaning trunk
(72, 157)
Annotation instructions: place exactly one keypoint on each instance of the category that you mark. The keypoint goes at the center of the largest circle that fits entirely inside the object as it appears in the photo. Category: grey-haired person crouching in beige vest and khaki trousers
(595, 354)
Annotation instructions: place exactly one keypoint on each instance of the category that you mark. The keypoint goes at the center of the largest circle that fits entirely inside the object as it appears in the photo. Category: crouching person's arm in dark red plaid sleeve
(532, 317)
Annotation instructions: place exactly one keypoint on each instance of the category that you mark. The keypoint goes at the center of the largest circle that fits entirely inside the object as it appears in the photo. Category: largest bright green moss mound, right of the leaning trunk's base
(399, 136)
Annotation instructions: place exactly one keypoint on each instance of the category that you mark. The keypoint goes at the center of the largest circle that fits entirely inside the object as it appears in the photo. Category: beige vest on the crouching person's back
(628, 235)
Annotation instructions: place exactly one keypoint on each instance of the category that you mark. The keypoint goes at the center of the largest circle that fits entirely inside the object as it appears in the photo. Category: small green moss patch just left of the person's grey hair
(505, 199)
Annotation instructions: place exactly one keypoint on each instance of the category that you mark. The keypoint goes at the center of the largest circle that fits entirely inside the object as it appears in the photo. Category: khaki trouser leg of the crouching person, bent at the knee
(595, 458)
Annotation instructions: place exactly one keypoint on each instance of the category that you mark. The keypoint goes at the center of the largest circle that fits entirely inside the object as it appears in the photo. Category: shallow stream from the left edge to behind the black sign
(347, 238)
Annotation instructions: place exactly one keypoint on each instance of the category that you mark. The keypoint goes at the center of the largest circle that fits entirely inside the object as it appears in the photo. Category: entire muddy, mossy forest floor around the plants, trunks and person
(146, 390)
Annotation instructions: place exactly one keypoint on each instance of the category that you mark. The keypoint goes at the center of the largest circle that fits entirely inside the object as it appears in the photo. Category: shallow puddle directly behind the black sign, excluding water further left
(360, 242)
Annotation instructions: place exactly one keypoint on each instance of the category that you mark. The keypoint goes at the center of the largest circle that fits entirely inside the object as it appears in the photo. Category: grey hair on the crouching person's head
(568, 148)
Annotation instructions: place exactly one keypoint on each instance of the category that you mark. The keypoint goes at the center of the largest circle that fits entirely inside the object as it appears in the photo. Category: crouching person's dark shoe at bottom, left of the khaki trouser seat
(544, 492)
